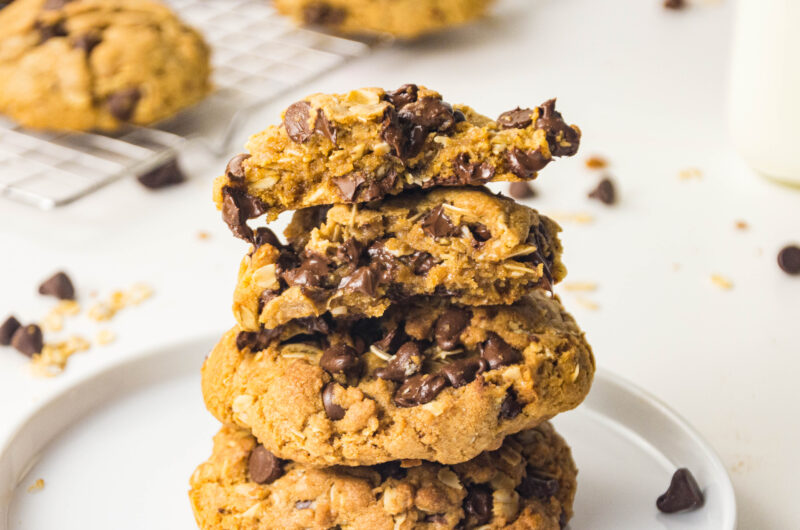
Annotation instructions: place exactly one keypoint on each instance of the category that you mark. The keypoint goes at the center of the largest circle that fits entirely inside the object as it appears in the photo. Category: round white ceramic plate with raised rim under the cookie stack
(117, 450)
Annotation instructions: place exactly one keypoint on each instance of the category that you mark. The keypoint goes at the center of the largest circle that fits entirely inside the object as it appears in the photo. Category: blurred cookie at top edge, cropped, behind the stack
(403, 18)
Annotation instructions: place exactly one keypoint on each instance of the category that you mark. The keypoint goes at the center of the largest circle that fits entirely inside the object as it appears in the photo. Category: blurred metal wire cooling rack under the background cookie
(257, 55)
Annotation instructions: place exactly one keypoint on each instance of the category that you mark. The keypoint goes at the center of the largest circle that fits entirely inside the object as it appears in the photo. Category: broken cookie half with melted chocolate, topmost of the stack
(369, 143)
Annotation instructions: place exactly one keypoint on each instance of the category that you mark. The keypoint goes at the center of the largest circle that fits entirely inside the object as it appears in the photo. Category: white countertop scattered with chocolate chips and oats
(648, 88)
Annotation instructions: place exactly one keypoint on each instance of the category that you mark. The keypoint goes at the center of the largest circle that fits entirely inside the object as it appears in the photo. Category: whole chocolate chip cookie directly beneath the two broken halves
(429, 380)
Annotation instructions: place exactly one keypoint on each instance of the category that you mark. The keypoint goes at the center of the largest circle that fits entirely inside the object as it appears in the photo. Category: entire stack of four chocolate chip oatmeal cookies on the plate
(394, 364)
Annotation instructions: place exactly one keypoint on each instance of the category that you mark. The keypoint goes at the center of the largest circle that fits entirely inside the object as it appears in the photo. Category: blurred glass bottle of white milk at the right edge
(765, 87)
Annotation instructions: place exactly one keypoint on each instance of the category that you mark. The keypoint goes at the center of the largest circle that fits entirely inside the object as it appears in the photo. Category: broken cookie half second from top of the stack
(466, 243)
